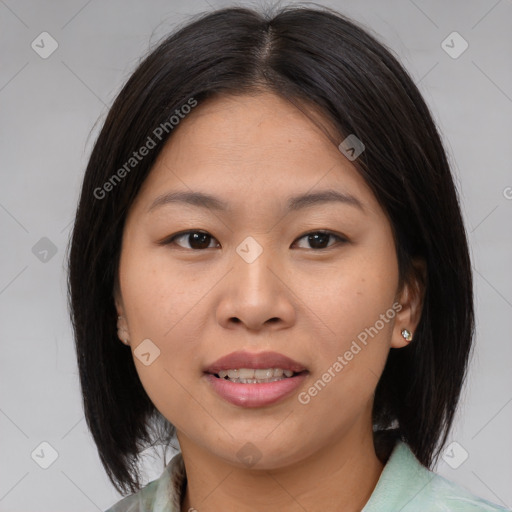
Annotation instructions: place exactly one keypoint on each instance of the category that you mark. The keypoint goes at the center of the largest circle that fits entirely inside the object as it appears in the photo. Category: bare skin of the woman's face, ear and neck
(197, 305)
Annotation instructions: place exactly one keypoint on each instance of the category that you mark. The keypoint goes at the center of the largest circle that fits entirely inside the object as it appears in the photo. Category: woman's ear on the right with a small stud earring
(411, 299)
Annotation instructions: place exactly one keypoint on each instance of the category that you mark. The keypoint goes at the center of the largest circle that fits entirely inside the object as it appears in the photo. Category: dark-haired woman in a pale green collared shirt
(269, 225)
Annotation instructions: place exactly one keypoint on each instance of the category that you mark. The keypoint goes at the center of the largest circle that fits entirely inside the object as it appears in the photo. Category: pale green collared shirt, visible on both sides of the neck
(405, 485)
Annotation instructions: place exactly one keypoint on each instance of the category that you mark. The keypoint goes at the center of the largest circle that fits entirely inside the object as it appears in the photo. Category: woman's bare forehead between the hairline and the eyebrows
(260, 147)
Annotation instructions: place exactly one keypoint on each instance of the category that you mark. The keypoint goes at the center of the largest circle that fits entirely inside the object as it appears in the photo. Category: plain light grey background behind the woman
(51, 111)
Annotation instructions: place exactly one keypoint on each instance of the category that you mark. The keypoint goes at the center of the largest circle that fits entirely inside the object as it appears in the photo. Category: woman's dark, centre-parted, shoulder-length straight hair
(311, 57)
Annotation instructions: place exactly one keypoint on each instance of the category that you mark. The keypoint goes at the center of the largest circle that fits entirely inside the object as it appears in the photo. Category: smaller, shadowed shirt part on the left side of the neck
(160, 495)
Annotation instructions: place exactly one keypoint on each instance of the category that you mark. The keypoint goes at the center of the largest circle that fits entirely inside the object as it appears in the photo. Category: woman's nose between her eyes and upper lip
(257, 295)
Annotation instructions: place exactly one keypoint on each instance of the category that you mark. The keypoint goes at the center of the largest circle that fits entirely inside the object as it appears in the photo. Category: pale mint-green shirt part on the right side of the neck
(406, 485)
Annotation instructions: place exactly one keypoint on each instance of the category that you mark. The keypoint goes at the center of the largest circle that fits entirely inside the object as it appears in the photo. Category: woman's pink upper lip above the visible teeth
(259, 360)
